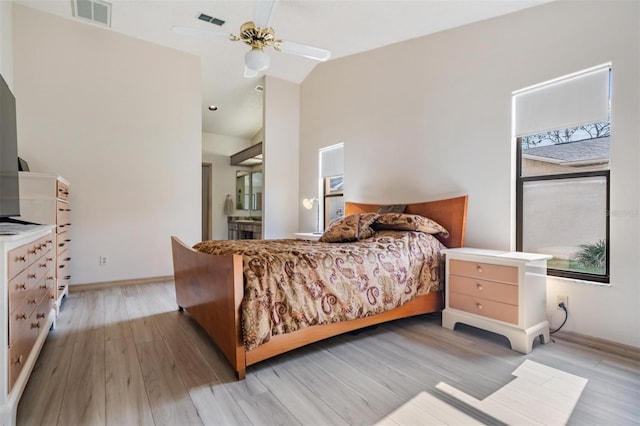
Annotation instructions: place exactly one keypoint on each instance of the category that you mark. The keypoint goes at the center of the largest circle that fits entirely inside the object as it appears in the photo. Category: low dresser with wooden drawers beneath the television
(27, 301)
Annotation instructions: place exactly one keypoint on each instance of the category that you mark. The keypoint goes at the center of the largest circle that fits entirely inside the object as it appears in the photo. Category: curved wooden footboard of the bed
(210, 288)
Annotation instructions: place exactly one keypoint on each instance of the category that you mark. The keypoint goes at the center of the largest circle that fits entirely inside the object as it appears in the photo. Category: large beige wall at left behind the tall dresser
(120, 119)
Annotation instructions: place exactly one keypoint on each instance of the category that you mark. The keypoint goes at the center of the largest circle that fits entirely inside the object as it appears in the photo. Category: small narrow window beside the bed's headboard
(332, 182)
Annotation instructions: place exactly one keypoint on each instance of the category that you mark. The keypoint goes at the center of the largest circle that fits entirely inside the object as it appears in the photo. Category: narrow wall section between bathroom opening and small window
(281, 151)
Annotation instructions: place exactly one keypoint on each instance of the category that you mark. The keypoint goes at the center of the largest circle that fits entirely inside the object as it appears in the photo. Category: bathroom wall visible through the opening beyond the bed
(217, 149)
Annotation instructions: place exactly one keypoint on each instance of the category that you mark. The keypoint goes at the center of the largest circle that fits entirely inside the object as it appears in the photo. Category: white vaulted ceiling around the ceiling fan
(344, 27)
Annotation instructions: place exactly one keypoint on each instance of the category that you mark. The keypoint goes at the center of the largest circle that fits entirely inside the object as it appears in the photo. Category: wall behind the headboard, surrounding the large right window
(431, 117)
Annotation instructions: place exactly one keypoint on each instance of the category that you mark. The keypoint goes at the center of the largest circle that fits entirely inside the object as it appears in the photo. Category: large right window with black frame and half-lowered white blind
(563, 135)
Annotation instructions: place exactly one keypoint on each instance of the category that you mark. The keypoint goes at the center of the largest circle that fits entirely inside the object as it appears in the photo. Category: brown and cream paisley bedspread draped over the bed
(292, 284)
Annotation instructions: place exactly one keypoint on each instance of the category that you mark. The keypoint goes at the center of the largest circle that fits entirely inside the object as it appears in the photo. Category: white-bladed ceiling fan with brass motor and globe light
(258, 34)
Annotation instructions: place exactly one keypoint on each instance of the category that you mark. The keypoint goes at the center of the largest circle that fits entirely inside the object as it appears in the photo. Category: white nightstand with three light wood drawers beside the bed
(502, 292)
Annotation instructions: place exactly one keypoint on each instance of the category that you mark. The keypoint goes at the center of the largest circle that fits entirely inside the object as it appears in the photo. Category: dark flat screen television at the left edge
(9, 189)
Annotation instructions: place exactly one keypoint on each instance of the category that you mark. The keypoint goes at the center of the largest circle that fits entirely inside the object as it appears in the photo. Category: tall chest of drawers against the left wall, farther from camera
(44, 199)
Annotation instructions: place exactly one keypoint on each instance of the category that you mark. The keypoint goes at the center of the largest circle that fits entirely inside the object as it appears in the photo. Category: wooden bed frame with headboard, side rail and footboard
(211, 288)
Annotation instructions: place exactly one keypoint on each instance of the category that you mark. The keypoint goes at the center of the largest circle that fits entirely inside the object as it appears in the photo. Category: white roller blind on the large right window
(563, 103)
